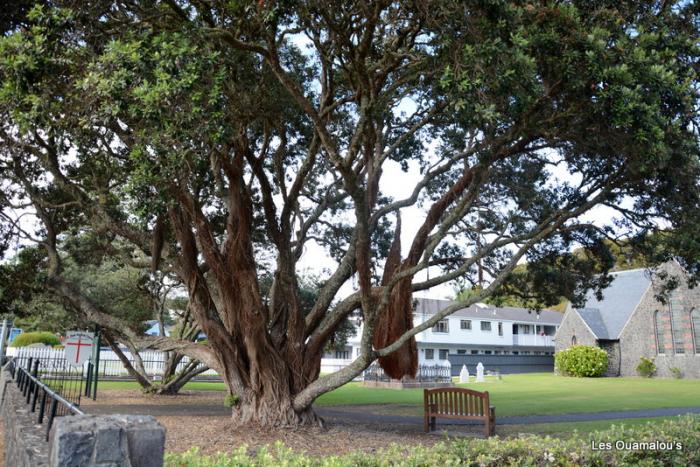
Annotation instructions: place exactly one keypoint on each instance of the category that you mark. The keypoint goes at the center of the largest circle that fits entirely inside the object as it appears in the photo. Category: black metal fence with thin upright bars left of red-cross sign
(52, 370)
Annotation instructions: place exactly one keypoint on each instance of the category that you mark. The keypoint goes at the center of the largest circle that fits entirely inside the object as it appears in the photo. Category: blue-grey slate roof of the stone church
(608, 316)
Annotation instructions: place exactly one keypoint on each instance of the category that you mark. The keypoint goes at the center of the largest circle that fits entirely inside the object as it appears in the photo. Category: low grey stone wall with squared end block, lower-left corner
(84, 440)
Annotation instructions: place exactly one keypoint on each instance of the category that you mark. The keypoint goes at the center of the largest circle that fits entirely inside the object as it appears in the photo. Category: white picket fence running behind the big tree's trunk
(153, 361)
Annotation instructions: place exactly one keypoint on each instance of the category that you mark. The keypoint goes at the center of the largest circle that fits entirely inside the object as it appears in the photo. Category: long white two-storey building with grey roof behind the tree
(478, 330)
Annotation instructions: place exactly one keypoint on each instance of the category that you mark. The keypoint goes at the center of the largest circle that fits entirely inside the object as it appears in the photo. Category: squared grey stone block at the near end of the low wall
(107, 441)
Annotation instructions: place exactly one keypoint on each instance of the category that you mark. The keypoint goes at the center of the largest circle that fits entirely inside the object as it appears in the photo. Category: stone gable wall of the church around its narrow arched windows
(638, 337)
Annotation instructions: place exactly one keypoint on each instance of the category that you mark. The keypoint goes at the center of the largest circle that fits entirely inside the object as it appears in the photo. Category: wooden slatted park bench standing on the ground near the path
(458, 403)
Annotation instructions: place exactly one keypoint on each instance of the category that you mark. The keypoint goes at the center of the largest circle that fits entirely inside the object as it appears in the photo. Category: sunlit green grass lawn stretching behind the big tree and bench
(524, 394)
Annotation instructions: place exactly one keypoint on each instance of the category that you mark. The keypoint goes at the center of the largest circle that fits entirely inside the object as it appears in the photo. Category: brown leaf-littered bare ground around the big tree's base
(200, 419)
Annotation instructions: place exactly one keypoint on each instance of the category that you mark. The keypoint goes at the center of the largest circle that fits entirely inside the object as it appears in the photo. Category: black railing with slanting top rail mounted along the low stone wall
(44, 401)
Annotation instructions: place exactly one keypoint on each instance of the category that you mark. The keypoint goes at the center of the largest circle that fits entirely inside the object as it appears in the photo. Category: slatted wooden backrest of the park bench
(457, 401)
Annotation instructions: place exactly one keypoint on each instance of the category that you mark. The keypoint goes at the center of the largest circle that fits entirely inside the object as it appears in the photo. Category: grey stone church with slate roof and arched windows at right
(630, 322)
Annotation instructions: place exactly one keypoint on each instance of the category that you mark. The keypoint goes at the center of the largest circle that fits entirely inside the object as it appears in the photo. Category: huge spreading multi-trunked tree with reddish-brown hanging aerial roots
(221, 139)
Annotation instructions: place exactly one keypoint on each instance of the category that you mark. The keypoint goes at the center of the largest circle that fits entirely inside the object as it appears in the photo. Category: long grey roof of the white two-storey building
(482, 311)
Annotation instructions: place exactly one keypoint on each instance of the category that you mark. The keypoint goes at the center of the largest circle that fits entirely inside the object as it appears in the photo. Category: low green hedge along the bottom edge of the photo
(676, 442)
